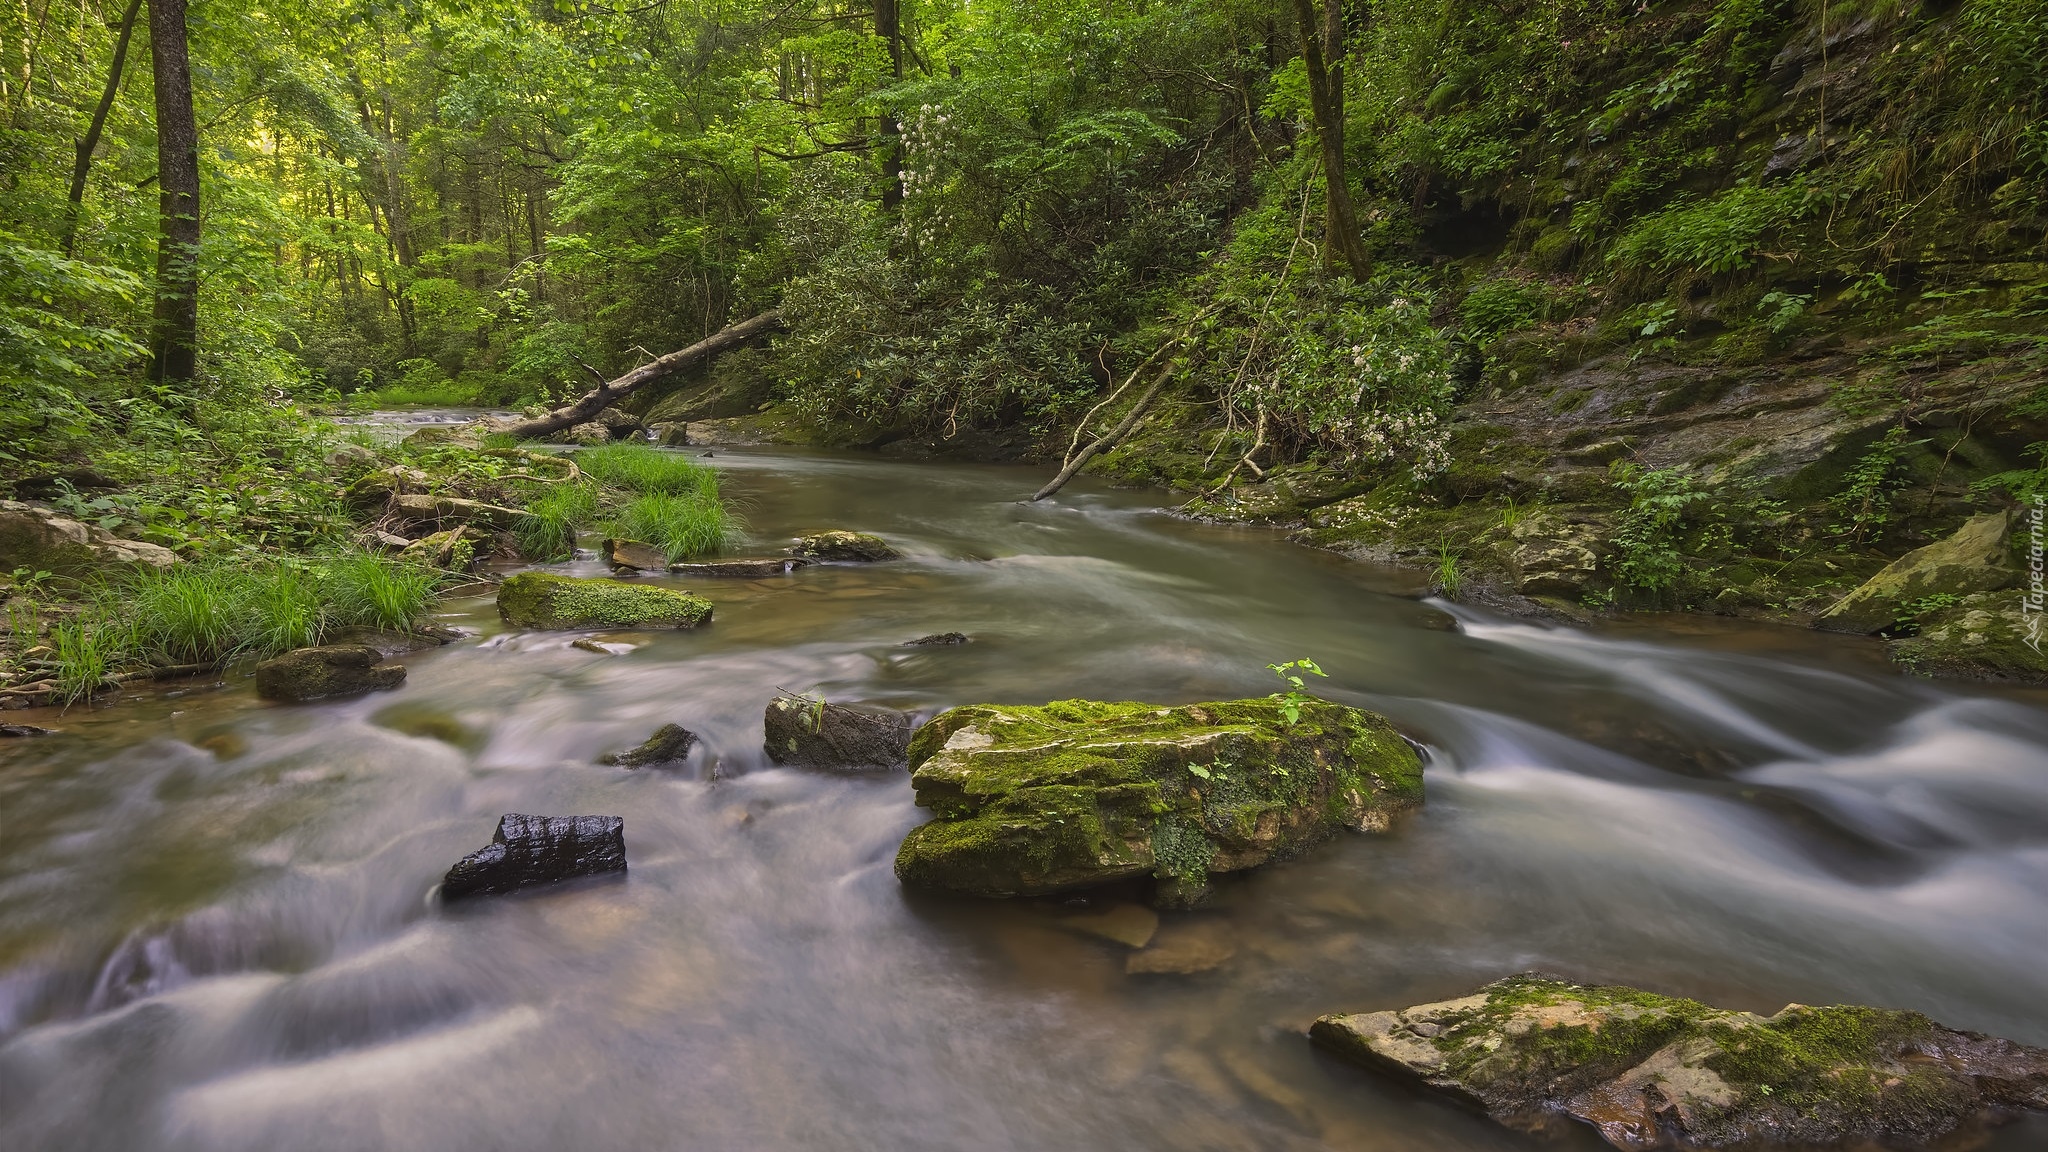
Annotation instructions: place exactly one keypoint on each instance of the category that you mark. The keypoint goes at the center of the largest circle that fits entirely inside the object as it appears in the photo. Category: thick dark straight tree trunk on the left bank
(175, 327)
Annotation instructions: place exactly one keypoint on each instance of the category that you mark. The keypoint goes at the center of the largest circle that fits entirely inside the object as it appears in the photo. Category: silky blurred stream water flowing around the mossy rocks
(218, 932)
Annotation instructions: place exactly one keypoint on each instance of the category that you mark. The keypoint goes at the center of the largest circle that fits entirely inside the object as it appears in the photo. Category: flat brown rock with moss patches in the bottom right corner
(1656, 1071)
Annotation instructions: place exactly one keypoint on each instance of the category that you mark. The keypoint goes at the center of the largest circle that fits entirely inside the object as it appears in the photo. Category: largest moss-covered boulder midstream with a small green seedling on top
(1076, 794)
